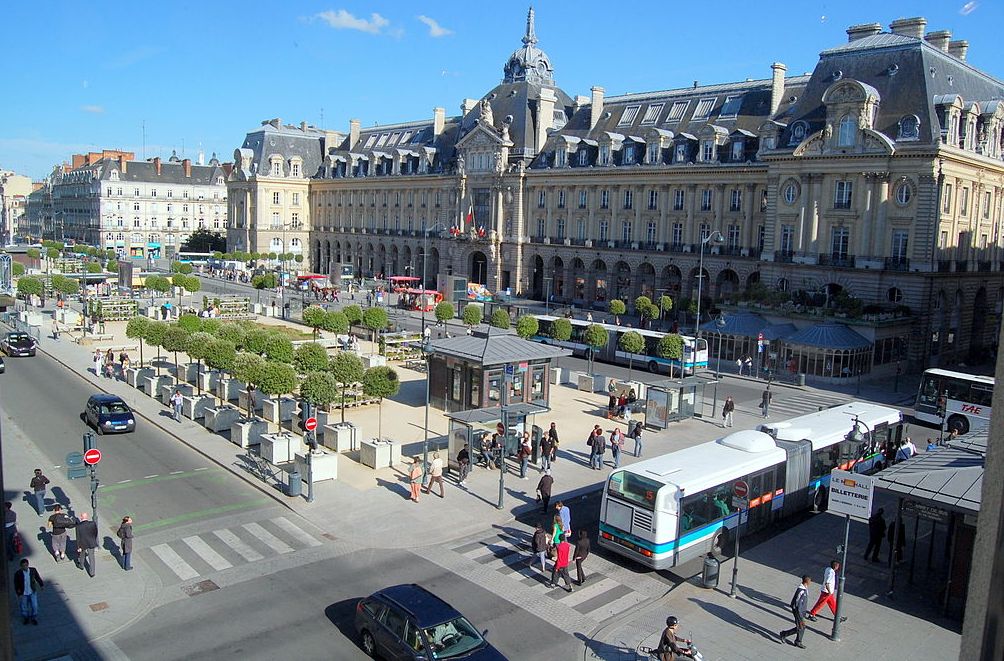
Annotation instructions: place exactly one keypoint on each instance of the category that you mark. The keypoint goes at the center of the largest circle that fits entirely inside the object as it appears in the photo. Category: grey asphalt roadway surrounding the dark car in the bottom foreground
(309, 613)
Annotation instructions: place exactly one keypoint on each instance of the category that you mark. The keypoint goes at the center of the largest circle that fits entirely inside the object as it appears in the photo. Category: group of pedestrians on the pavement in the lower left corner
(28, 581)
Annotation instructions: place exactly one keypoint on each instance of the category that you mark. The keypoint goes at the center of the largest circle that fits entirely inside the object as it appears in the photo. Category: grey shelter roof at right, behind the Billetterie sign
(950, 478)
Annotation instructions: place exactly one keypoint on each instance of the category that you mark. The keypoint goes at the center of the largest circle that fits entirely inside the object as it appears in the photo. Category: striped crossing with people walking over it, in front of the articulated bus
(600, 598)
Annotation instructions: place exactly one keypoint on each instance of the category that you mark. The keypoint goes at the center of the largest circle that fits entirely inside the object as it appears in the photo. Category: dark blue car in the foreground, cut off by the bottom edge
(403, 622)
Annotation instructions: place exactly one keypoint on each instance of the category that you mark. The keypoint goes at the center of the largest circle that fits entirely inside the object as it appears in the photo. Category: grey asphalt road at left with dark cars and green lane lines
(148, 475)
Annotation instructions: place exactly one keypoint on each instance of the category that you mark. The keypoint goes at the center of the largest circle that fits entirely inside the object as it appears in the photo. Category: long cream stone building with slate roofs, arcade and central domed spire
(858, 207)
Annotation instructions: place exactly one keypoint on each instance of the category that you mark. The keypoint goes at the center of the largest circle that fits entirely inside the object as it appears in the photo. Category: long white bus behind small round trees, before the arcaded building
(613, 353)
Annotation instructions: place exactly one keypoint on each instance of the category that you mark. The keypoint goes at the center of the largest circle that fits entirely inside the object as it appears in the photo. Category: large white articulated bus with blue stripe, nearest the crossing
(664, 512)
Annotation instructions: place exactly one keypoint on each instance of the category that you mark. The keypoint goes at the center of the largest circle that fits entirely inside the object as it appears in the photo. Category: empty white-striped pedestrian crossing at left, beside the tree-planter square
(224, 549)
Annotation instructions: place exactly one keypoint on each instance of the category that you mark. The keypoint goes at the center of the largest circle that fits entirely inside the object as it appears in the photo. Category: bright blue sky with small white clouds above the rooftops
(200, 75)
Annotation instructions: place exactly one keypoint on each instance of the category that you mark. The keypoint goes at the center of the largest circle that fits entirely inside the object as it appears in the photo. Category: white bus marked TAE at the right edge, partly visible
(967, 400)
